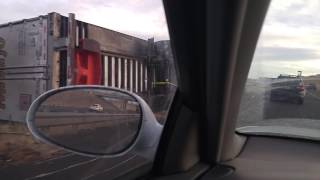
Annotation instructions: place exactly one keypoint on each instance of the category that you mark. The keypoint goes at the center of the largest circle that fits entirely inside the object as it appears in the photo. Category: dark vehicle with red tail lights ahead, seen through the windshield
(290, 90)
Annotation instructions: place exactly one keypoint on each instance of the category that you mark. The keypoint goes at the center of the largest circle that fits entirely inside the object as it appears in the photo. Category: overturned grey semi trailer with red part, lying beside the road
(53, 51)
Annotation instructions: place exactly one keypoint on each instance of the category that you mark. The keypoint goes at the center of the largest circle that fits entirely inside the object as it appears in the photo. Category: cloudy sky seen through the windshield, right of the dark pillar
(289, 41)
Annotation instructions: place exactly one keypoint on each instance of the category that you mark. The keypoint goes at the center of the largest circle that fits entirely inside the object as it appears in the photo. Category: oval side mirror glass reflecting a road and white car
(95, 121)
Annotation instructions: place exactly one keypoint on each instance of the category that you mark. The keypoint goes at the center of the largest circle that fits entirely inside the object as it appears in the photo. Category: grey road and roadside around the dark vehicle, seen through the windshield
(257, 110)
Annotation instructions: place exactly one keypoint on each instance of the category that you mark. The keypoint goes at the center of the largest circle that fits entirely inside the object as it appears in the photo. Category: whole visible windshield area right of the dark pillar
(282, 92)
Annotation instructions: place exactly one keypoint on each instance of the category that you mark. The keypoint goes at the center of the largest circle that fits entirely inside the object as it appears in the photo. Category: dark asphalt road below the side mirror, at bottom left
(71, 166)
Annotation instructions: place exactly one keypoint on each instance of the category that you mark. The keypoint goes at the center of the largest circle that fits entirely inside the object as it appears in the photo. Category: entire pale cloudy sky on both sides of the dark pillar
(289, 41)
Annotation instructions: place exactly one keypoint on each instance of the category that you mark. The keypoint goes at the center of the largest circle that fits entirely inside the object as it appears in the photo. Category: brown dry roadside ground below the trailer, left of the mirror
(17, 146)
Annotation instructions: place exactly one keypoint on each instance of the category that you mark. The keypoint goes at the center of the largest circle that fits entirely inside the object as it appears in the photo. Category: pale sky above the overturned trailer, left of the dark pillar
(142, 18)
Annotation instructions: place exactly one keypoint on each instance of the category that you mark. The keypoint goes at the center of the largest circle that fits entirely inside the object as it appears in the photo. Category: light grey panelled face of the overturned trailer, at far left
(24, 71)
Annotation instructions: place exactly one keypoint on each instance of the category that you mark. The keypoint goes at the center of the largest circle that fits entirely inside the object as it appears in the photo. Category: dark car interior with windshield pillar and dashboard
(213, 44)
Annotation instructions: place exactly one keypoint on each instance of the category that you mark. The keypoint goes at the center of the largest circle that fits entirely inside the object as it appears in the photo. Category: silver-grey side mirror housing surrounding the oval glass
(144, 143)
